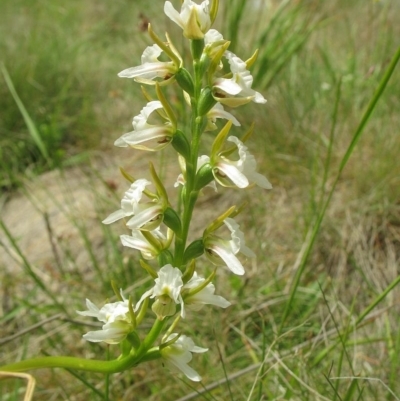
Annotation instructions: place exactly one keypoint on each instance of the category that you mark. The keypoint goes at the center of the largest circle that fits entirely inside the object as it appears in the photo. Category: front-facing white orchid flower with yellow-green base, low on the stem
(166, 291)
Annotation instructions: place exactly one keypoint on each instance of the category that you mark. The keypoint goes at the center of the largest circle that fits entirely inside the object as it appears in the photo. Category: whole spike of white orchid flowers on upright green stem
(154, 225)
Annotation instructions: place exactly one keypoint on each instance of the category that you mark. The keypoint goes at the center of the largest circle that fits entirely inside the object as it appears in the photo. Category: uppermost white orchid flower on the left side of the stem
(151, 68)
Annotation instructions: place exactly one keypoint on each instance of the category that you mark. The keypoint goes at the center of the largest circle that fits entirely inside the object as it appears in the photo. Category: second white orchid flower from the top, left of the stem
(147, 136)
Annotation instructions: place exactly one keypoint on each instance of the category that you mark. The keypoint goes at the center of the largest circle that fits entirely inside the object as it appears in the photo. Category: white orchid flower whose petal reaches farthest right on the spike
(240, 173)
